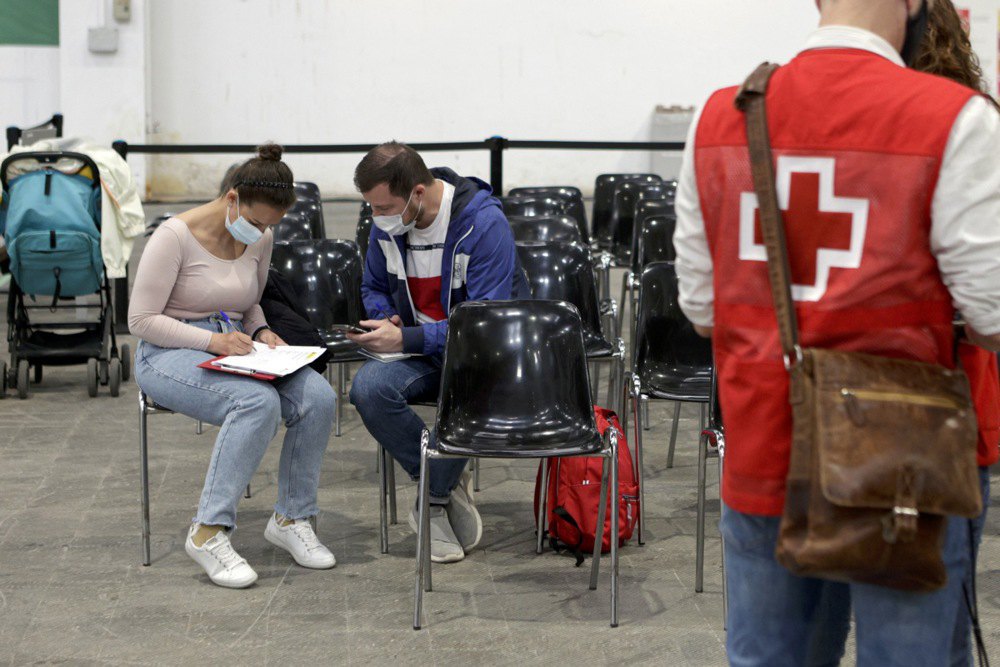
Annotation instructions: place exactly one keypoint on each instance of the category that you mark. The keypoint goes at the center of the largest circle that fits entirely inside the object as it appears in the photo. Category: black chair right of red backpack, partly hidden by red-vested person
(671, 361)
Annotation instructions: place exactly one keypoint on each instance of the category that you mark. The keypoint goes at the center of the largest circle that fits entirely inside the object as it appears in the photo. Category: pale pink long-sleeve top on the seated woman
(178, 279)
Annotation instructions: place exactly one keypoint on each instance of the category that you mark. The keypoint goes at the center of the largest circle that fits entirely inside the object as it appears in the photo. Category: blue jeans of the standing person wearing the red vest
(777, 618)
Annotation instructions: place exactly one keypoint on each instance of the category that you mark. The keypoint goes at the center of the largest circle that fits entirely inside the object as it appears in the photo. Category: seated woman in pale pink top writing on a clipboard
(196, 296)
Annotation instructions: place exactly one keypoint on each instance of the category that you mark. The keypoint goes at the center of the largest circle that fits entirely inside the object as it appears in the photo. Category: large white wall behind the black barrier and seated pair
(347, 71)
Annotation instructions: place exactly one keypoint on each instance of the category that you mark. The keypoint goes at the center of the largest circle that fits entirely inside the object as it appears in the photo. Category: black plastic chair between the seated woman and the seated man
(326, 273)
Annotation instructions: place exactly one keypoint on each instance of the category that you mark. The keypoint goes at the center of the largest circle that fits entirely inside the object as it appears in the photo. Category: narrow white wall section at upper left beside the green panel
(103, 95)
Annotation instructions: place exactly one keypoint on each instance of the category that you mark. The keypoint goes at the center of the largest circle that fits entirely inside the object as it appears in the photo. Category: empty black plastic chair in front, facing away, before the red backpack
(514, 385)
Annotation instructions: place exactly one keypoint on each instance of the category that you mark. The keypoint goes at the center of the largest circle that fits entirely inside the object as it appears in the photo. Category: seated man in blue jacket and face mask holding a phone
(438, 239)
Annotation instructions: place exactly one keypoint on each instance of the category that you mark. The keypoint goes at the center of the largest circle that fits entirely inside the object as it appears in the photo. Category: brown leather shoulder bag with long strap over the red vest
(882, 449)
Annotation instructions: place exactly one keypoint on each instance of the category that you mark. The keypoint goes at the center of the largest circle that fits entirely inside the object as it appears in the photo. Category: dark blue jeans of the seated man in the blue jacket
(382, 393)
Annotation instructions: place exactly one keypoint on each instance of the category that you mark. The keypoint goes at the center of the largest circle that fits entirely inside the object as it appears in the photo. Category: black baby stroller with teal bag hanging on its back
(51, 223)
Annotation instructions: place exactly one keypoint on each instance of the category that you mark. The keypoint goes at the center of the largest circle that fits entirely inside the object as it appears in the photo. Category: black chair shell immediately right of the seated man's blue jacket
(565, 272)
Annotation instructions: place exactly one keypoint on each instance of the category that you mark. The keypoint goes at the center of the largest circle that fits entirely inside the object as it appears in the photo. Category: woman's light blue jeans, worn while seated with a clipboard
(249, 412)
